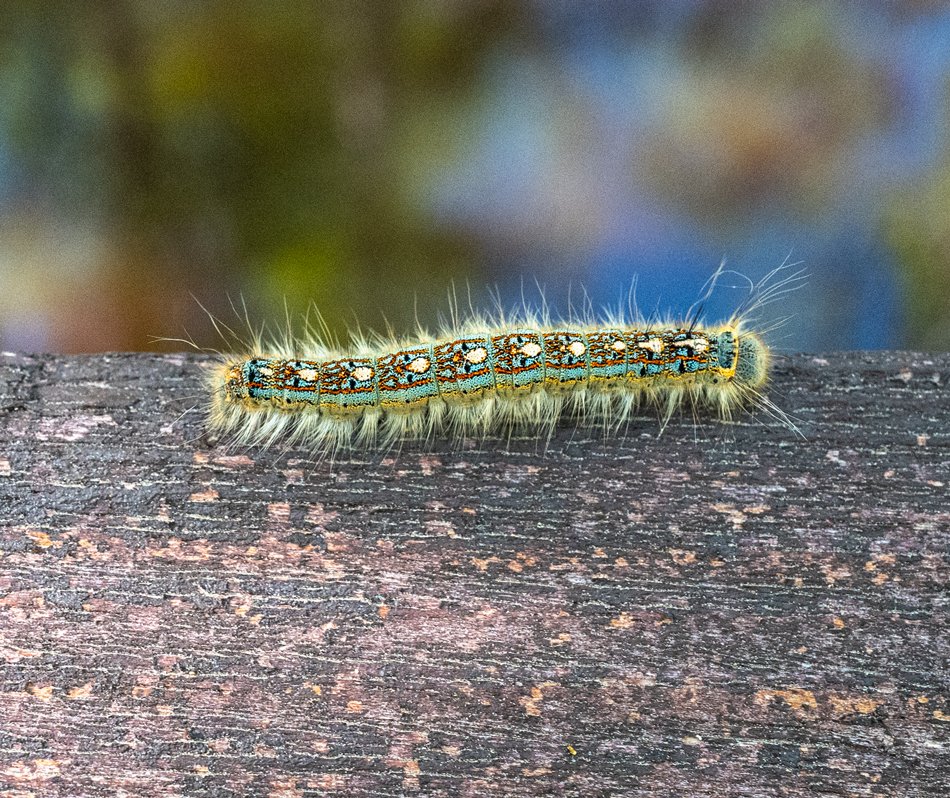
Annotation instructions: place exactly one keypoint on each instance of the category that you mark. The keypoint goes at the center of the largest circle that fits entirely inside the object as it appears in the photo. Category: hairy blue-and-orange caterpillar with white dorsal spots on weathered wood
(484, 377)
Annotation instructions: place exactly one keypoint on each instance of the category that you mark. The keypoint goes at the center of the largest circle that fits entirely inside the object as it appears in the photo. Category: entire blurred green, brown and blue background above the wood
(366, 156)
